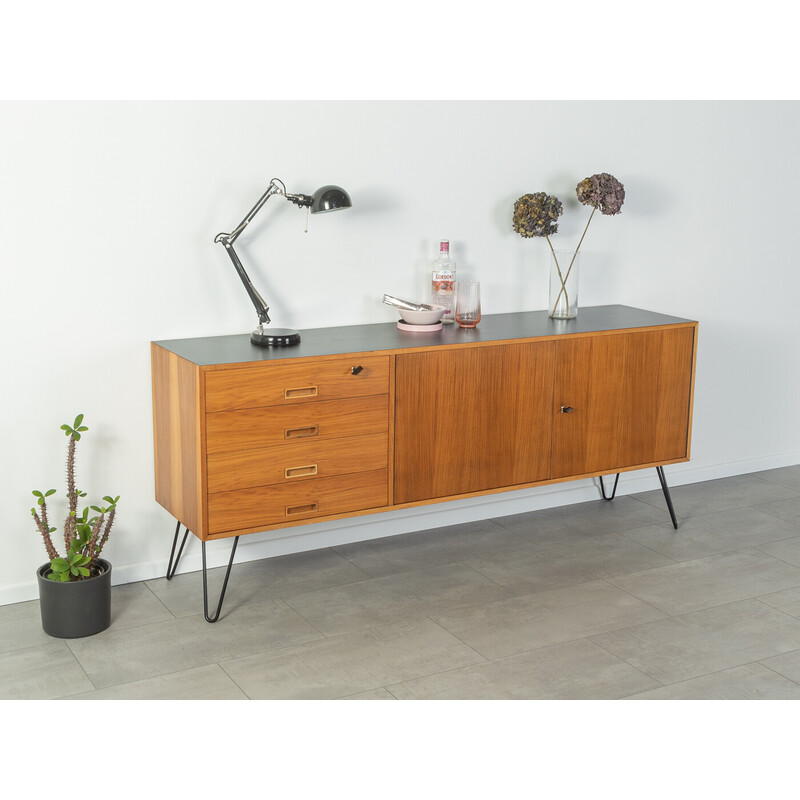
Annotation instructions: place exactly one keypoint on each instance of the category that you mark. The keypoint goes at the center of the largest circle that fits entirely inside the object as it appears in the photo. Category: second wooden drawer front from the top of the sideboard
(227, 431)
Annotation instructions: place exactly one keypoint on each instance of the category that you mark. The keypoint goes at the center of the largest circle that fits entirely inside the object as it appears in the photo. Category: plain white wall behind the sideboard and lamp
(108, 213)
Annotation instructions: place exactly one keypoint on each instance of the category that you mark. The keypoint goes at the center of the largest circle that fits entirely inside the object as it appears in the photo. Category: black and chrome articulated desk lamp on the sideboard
(327, 198)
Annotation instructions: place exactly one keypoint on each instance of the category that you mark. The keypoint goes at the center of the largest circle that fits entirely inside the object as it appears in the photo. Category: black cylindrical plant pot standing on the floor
(75, 608)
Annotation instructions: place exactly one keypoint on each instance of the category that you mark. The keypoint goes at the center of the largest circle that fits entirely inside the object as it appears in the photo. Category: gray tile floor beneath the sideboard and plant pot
(592, 601)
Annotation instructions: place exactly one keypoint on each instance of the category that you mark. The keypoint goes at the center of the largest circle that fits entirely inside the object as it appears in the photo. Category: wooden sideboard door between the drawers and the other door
(472, 419)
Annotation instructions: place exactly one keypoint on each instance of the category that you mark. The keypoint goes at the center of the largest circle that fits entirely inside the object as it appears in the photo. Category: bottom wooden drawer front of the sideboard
(286, 502)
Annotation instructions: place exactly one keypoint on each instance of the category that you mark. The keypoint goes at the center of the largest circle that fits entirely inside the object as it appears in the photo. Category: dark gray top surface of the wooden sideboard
(237, 348)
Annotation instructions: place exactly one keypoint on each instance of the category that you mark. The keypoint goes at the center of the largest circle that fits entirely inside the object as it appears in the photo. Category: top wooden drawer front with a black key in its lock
(300, 382)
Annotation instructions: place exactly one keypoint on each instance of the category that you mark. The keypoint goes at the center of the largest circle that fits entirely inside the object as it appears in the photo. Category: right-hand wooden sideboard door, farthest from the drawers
(630, 394)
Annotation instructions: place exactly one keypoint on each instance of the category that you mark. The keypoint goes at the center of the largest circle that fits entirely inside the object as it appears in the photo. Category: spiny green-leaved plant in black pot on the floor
(75, 590)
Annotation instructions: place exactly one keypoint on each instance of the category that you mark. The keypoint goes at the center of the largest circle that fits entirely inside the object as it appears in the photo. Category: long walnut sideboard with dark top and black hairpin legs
(368, 418)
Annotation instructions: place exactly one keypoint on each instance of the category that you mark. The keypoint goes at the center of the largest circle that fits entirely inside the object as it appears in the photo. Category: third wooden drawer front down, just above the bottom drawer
(301, 460)
